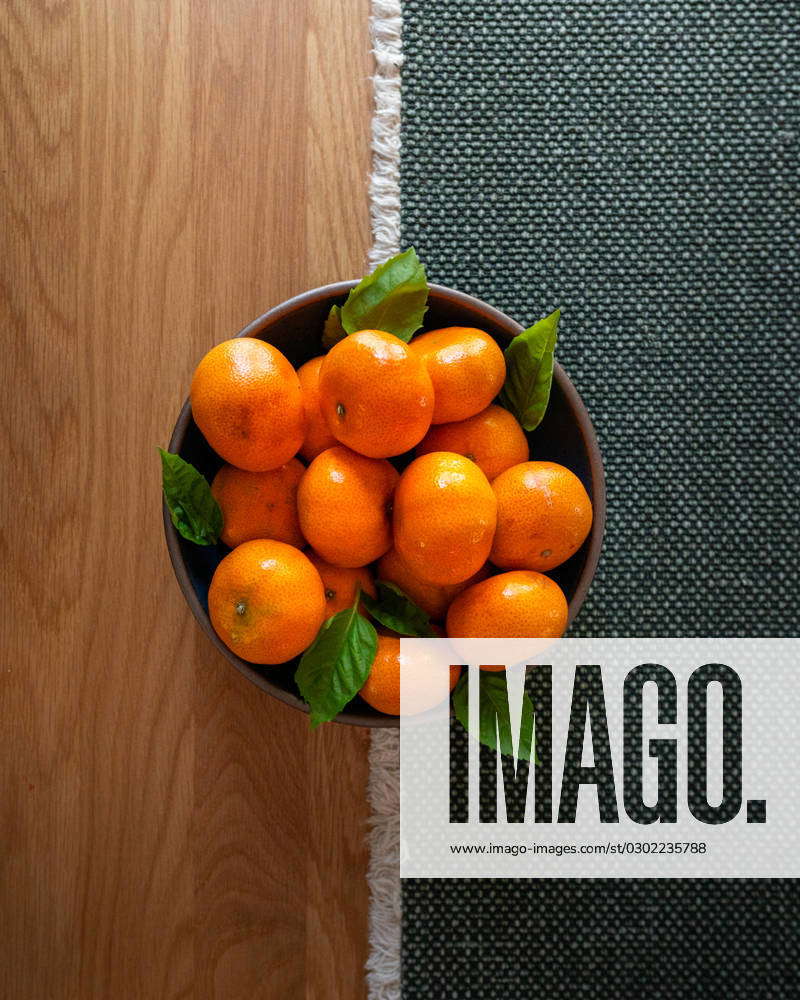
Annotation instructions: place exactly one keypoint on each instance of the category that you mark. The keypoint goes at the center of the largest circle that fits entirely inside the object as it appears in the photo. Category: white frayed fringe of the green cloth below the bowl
(383, 875)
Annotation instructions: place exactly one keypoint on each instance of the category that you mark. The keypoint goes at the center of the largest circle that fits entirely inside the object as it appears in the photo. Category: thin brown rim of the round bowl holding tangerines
(333, 290)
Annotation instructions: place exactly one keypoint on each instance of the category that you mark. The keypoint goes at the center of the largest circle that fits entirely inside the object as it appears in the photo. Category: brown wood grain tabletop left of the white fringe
(170, 169)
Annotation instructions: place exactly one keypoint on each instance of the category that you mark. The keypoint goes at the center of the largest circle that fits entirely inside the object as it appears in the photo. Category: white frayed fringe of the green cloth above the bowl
(386, 25)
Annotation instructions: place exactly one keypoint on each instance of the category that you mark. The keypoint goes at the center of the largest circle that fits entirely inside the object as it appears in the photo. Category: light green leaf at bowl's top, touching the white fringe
(393, 298)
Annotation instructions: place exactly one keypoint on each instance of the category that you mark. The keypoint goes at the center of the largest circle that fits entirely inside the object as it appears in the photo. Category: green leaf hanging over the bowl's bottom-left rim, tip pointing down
(335, 666)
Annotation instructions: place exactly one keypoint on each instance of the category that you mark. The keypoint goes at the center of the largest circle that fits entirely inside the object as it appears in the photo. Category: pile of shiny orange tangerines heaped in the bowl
(467, 530)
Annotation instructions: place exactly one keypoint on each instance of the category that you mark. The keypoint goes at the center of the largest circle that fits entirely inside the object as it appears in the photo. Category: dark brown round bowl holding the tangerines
(565, 435)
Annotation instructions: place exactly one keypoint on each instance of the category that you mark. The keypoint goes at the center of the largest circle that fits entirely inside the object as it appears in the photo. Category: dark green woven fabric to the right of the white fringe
(634, 162)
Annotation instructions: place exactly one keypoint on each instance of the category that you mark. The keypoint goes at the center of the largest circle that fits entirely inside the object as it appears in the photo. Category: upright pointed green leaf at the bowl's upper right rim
(529, 371)
